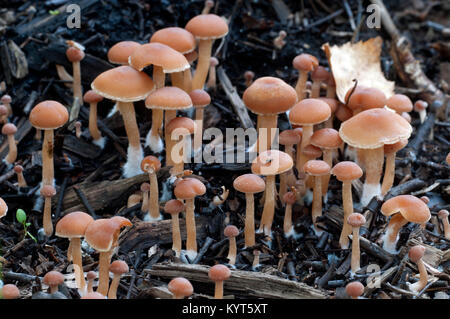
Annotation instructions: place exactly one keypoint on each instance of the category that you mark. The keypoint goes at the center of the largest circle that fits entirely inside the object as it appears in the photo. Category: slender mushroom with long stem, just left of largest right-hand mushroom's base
(346, 172)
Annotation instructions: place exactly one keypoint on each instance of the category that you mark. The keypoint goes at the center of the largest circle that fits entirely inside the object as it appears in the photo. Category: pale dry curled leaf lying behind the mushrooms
(359, 61)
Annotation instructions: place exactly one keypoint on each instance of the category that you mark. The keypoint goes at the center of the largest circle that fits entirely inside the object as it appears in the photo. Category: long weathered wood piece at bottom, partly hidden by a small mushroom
(253, 284)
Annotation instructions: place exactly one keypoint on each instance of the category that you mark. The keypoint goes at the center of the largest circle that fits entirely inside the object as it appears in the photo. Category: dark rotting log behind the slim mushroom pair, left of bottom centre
(146, 234)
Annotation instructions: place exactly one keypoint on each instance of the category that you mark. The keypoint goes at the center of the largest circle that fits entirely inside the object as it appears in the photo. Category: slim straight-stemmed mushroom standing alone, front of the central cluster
(249, 184)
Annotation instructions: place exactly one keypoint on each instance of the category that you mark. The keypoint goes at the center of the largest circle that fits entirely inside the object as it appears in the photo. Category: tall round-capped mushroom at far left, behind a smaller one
(48, 116)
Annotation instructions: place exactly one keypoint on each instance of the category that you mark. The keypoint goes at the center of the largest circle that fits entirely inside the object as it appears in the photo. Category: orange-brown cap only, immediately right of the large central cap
(309, 111)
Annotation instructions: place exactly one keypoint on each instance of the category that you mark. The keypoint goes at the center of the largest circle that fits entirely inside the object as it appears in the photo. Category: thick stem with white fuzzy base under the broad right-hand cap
(373, 163)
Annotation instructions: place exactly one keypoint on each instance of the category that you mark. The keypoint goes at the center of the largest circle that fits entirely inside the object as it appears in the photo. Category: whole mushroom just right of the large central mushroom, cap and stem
(307, 113)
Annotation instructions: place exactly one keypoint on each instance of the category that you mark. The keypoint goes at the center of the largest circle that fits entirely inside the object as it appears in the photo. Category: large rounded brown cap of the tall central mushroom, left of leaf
(269, 95)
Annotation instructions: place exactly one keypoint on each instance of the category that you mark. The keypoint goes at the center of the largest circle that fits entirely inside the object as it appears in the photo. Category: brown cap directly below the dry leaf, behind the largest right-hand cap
(365, 98)
